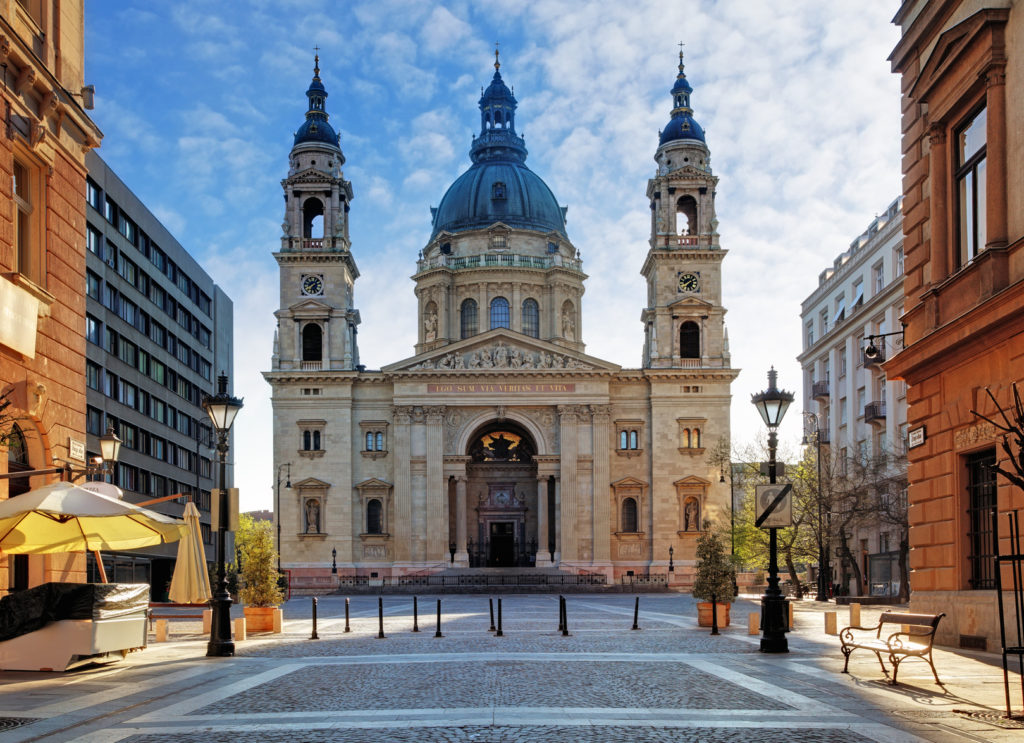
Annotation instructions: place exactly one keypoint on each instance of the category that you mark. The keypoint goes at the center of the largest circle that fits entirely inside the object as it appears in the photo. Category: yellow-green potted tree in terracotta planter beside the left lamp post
(259, 574)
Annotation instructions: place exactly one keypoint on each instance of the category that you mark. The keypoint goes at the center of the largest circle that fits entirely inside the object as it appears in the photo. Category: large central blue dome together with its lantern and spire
(499, 187)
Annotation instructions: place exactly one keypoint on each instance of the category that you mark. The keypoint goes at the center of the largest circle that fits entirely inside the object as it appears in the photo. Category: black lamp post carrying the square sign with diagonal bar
(773, 405)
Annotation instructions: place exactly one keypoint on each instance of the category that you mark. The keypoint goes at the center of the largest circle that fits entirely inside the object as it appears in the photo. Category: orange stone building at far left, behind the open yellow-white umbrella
(42, 259)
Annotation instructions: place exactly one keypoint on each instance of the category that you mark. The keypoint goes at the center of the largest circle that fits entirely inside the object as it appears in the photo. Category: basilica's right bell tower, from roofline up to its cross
(685, 321)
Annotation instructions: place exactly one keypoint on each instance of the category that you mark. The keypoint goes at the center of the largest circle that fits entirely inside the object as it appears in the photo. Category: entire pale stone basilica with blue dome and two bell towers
(500, 443)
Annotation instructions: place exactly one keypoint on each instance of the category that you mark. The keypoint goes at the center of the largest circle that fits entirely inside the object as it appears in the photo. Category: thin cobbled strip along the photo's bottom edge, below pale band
(527, 734)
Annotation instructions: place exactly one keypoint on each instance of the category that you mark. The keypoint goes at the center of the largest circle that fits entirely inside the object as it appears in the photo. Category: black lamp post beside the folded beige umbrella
(222, 409)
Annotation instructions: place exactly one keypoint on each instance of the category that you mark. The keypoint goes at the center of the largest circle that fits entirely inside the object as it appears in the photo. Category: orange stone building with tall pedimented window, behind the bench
(963, 72)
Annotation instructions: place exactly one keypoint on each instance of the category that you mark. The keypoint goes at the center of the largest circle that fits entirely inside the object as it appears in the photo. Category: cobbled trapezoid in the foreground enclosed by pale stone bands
(503, 684)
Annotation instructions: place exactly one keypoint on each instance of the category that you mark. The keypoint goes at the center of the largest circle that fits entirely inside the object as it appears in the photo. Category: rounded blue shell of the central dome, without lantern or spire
(499, 192)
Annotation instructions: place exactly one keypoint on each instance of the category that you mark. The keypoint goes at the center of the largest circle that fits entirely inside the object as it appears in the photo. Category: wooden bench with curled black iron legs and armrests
(915, 642)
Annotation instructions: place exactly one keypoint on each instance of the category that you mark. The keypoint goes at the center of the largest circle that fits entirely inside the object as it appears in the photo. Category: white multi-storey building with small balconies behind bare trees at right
(861, 415)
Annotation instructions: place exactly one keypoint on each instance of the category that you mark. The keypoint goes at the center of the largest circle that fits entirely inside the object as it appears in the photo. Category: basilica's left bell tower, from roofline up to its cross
(317, 321)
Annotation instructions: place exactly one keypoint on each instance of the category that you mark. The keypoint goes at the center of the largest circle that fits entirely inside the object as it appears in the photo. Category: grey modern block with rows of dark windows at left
(158, 333)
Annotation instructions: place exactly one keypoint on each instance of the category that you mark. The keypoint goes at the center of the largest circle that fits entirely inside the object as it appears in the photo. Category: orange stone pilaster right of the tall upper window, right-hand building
(996, 157)
